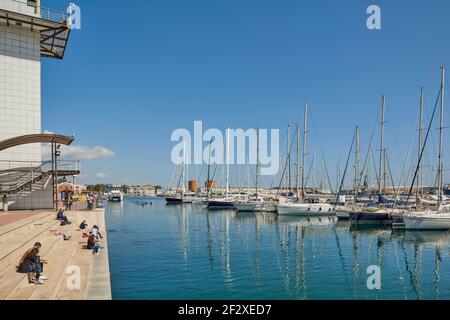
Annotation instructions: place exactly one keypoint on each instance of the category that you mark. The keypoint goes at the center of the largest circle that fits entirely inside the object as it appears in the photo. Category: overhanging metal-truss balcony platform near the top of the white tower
(54, 31)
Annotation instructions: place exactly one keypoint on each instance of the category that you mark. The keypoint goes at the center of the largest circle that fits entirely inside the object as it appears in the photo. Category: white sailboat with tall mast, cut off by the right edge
(438, 219)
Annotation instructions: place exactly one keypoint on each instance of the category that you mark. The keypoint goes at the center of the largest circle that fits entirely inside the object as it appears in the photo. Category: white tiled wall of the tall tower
(20, 84)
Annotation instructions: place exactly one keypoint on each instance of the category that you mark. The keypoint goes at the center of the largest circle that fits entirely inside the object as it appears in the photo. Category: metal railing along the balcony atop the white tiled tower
(30, 8)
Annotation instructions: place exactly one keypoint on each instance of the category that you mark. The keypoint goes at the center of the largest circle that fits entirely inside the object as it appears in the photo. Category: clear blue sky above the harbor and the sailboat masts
(137, 70)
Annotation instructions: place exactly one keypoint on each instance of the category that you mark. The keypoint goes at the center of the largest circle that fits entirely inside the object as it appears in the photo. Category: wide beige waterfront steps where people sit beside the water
(73, 272)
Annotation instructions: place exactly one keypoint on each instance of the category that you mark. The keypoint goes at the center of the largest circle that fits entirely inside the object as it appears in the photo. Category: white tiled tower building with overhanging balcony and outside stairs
(28, 32)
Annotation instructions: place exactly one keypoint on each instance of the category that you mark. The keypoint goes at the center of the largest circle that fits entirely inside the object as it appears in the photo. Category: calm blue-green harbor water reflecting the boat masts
(186, 252)
